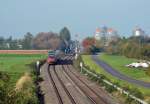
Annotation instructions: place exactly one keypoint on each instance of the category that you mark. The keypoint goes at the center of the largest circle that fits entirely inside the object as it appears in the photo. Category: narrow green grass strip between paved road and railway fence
(89, 62)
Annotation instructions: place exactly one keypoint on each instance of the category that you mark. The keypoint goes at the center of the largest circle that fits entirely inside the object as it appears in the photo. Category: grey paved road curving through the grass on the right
(119, 75)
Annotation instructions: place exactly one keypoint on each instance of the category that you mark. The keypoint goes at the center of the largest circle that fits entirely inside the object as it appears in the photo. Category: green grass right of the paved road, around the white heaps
(119, 62)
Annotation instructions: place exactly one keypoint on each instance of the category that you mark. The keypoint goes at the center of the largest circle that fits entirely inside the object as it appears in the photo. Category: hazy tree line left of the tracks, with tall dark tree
(43, 40)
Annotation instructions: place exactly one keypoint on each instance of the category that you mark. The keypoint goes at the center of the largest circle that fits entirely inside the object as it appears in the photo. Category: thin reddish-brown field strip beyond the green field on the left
(23, 51)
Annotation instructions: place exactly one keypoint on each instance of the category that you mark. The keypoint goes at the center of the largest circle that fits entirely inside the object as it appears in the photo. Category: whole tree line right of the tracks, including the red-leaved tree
(133, 47)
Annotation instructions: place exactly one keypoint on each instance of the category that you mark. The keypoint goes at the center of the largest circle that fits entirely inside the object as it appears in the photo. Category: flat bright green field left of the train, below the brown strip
(16, 65)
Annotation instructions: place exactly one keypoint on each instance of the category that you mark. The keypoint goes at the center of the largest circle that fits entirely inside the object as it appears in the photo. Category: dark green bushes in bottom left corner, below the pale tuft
(8, 95)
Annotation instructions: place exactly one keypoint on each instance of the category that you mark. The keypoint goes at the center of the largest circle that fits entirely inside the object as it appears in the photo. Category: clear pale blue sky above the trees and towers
(81, 17)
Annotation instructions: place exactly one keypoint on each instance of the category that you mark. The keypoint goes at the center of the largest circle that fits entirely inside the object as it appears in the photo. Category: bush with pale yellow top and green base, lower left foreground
(24, 92)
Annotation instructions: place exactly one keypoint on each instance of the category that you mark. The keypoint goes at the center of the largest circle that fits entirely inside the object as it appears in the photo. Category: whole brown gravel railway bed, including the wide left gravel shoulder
(62, 84)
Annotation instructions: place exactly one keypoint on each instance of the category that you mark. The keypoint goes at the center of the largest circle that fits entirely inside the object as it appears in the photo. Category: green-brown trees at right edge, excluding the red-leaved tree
(132, 47)
